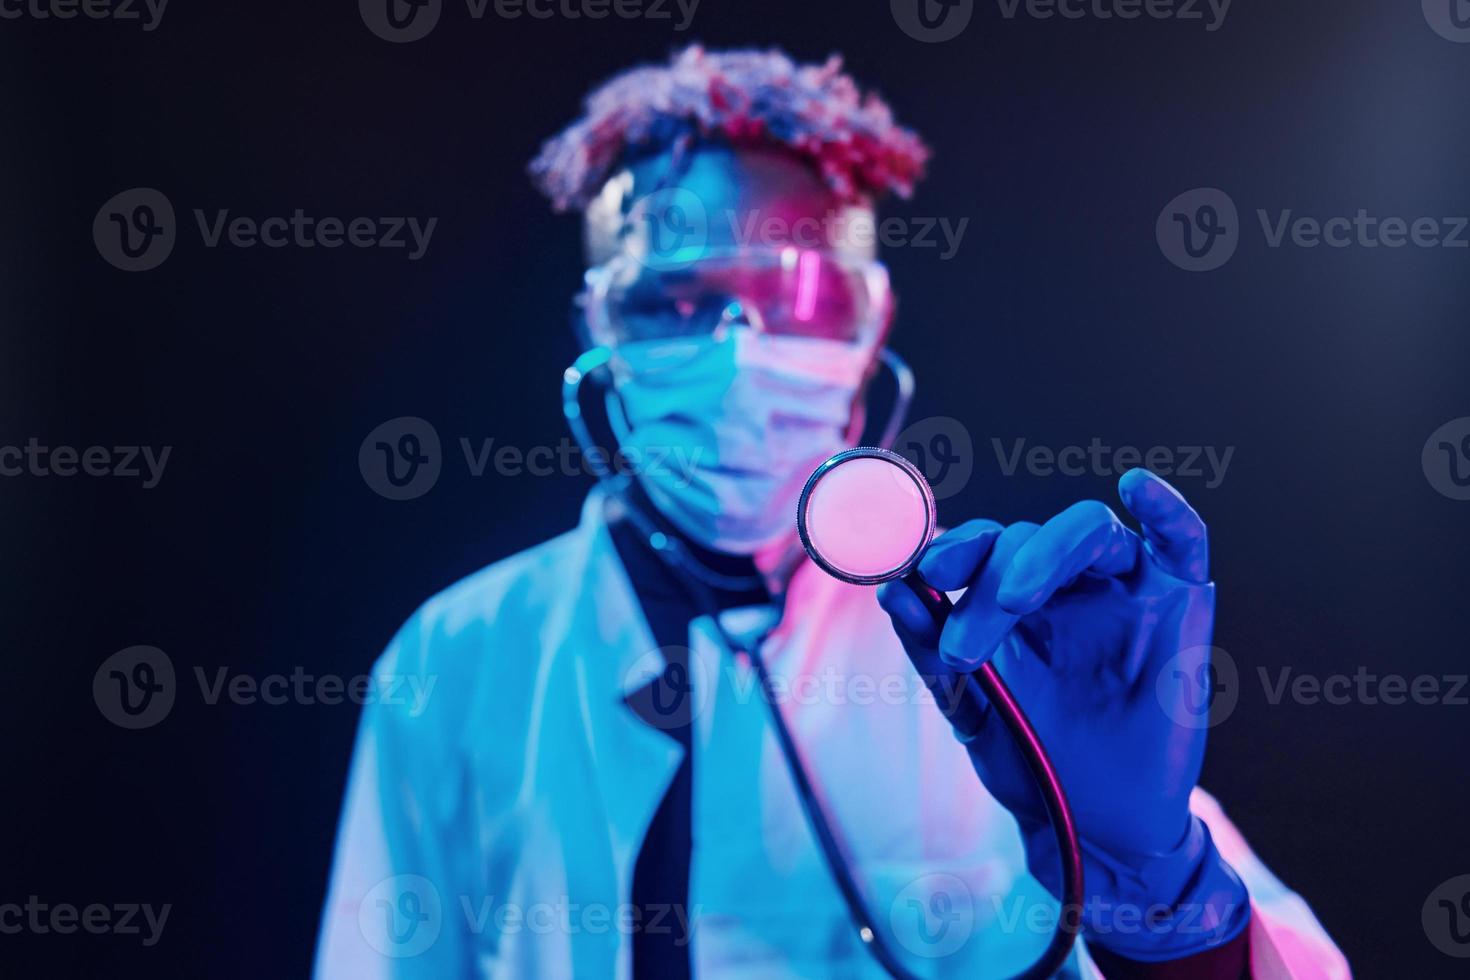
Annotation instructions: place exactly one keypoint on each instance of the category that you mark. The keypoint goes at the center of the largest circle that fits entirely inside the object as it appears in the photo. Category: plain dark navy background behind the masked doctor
(1059, 321)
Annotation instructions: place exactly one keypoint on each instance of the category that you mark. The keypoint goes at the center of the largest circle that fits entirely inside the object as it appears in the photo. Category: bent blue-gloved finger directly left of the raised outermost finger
(1087, 537)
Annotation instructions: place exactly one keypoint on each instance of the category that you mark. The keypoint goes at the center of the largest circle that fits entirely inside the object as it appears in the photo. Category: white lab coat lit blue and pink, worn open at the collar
(492, 831)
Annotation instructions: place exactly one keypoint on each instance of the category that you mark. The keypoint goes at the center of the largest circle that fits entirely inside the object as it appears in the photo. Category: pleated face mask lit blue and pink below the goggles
(725, 433)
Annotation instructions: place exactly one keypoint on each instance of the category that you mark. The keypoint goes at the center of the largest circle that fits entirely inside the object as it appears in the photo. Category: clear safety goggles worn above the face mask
(778, 292)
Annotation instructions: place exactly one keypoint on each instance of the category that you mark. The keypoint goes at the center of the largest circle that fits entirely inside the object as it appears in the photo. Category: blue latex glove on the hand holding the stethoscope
(1081, 618)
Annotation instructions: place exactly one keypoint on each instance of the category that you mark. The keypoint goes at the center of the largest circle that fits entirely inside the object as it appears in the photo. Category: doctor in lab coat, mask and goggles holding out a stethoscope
(596, 788)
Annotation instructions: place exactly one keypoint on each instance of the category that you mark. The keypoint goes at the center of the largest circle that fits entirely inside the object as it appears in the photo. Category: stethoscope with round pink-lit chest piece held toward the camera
(868, 516)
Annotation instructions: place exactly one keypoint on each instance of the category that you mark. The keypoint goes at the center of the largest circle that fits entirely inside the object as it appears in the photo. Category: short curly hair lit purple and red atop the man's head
(742, 98)
